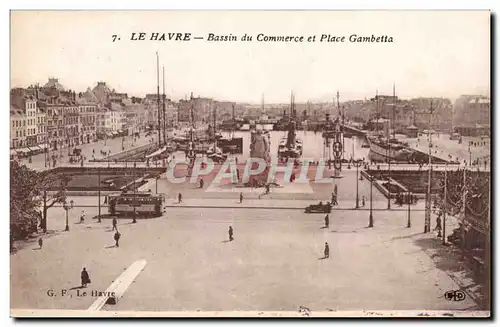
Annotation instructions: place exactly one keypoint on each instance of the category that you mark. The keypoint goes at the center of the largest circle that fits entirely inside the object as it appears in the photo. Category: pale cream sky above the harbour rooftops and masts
(434, 53)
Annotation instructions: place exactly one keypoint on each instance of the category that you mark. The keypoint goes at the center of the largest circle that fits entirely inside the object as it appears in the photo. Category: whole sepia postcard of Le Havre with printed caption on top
(250, 163)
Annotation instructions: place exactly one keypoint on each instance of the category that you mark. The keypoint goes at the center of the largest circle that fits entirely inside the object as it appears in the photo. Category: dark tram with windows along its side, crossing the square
(142, 203)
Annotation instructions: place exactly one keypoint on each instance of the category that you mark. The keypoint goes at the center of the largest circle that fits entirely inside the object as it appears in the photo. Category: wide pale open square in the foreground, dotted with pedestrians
(274, 263)
